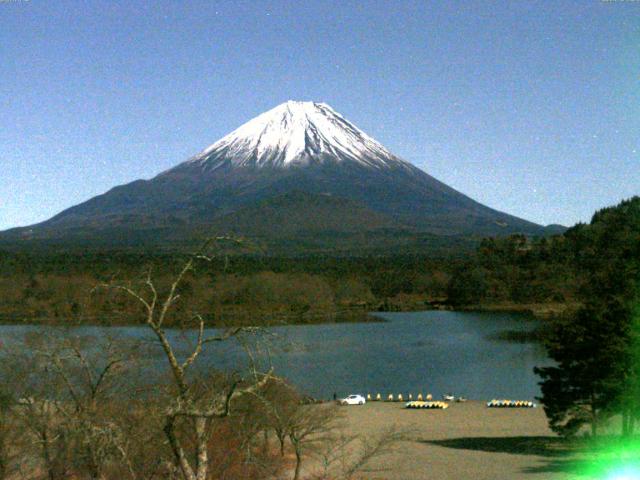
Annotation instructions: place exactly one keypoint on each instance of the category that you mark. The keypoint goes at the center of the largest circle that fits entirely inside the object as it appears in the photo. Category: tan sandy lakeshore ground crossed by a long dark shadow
(465, 441)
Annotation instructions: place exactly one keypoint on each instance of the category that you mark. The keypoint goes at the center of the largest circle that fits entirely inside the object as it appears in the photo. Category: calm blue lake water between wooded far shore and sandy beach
(435, 351)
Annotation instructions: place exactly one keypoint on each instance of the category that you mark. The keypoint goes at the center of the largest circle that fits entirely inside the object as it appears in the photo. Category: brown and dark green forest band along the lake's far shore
(514, 272)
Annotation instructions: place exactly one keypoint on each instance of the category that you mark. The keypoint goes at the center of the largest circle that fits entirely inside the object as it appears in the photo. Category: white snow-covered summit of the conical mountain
(297, 133)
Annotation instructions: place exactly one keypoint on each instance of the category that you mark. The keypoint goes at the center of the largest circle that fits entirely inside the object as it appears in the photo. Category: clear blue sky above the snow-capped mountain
(530, 107)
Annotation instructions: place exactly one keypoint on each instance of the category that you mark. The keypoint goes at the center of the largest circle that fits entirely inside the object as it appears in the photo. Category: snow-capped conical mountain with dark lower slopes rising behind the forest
(297, 176)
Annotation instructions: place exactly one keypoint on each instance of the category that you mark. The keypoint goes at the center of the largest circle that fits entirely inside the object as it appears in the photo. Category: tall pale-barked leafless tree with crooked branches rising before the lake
(189, 410)
